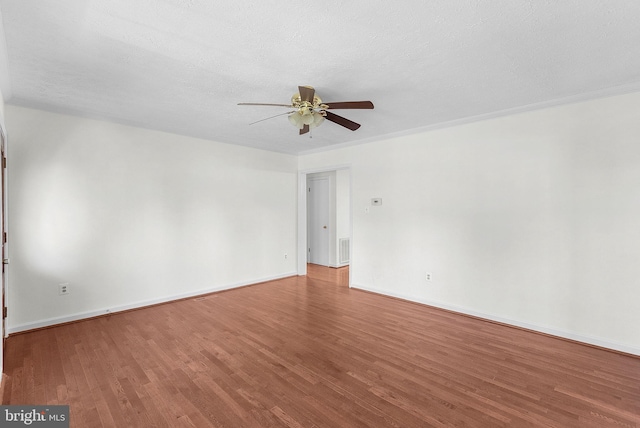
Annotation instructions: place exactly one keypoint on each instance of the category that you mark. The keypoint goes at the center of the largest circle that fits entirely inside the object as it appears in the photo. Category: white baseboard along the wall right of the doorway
(603, 343)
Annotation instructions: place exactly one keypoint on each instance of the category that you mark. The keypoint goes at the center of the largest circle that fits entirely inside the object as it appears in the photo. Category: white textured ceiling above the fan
(182, 66)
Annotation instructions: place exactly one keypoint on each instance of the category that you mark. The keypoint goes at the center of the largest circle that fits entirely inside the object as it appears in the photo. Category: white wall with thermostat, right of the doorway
(532, 219)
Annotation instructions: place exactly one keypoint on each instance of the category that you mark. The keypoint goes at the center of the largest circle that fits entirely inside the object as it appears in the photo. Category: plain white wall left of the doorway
(130, 216)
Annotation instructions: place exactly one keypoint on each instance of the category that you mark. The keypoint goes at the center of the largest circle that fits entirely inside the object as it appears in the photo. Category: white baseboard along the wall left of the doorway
(135, 305)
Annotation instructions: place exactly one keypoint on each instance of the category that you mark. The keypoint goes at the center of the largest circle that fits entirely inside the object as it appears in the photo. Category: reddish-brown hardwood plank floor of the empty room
(310, 352)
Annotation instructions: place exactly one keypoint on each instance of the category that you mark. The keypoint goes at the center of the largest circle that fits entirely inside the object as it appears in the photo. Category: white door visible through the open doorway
(318, 232)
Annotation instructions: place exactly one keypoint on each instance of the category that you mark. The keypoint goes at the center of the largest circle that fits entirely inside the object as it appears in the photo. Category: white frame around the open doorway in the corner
(302, 215)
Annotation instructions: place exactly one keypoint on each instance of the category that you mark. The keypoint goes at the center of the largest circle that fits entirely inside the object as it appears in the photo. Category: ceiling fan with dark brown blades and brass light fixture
(309, 111)
